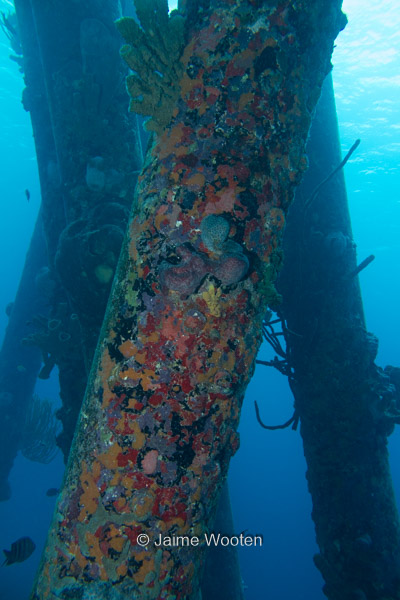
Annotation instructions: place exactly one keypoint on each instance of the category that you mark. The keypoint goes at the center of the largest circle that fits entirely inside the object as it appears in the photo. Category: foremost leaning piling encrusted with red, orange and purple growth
(230, 100)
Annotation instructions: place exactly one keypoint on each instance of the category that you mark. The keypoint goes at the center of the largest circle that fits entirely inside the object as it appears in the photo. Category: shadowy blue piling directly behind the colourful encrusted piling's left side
(88, 158)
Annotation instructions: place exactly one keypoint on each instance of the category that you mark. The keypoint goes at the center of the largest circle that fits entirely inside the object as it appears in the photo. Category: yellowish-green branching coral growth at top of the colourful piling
(152, 52)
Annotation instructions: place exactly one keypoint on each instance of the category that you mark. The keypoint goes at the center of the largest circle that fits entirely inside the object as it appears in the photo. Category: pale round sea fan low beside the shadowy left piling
(39, 432)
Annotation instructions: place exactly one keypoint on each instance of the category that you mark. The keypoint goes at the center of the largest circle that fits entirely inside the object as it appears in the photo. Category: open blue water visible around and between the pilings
(267, 476)
